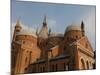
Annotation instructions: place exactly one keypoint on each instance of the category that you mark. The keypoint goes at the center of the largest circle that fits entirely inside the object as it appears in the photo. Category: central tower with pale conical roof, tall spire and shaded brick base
(43, 37)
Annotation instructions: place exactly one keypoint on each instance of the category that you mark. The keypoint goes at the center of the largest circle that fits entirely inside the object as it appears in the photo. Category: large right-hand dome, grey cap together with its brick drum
(73, 32)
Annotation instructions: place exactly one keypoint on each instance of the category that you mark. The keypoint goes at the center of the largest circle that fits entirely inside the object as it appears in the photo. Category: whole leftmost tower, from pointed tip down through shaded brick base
(14, 49)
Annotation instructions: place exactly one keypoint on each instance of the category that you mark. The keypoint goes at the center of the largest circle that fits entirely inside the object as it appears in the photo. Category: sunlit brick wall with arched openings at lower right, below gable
(88, 61)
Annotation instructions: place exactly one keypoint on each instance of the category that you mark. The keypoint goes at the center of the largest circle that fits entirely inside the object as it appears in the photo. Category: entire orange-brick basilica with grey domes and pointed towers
(46, 51)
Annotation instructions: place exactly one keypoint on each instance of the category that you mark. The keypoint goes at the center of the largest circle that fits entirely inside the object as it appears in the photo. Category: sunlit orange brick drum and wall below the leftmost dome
(28, 53)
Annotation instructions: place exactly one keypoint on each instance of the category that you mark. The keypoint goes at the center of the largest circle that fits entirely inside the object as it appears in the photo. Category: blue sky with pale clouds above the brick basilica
(59, 16)
